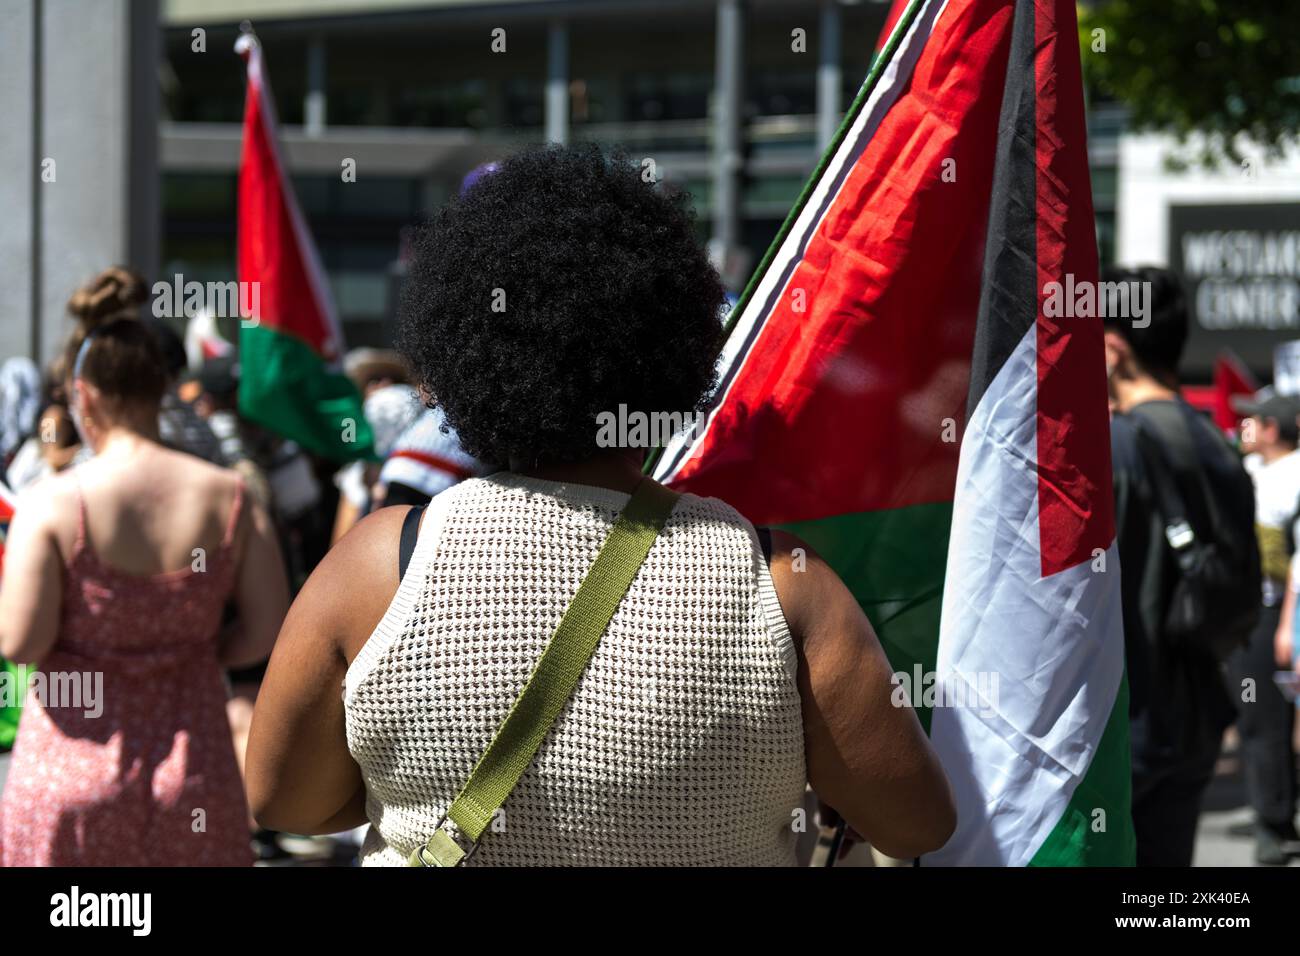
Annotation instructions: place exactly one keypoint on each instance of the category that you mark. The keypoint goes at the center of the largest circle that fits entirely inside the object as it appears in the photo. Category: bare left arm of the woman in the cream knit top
(300, 773)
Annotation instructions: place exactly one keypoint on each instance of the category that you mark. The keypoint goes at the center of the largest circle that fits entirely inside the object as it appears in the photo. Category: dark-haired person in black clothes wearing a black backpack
(1190, 568)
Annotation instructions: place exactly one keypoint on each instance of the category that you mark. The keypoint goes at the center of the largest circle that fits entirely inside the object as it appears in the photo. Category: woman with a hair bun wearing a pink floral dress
(116, 577)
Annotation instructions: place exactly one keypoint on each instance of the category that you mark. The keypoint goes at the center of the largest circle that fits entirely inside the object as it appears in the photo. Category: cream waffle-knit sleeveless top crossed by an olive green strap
(683, 743)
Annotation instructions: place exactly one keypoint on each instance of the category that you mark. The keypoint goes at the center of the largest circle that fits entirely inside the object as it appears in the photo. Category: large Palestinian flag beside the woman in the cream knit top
(896, 392)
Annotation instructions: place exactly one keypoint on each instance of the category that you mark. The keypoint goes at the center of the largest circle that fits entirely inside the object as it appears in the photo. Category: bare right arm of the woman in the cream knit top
(866, 758)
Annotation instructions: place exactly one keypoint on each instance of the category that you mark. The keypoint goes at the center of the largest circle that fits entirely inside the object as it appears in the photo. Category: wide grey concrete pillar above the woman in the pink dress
(80, 90)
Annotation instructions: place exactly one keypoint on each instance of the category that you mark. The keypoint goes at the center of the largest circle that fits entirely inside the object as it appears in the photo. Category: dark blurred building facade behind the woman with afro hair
(734, 102)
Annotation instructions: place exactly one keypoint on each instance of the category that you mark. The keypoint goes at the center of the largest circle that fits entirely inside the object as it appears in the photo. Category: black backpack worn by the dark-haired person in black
(1215, 598)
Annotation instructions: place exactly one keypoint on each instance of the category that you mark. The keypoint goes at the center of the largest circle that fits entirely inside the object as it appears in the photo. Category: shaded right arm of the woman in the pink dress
(262, 595)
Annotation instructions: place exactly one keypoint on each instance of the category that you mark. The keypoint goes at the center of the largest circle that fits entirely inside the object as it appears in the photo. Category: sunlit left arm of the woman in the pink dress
(32, 587)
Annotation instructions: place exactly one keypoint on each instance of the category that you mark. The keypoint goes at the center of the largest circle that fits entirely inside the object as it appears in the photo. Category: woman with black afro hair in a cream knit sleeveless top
(558, 291)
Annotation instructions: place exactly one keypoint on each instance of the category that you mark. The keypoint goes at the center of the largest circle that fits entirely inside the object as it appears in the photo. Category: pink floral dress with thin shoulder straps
(141, 771)
